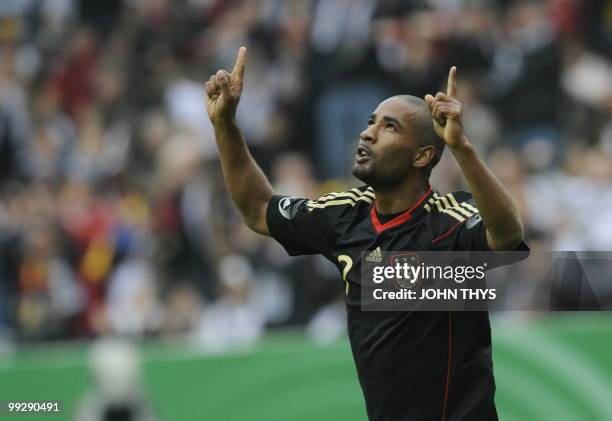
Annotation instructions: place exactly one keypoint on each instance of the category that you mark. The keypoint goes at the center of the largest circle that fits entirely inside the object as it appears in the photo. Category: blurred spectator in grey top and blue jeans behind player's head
(347, 75)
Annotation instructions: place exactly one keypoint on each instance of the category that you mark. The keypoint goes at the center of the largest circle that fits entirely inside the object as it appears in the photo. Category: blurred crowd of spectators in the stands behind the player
(113, 213)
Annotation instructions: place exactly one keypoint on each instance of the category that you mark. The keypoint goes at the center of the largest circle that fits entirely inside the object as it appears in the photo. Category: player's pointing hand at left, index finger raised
(223, 90)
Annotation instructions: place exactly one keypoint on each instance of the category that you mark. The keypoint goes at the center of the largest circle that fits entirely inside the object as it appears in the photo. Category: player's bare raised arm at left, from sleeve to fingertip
(248, 186)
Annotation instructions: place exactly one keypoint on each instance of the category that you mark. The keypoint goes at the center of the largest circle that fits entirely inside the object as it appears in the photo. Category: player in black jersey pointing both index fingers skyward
(411, 365)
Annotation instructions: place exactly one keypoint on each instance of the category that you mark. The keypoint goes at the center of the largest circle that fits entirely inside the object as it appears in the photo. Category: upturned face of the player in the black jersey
(387, 146)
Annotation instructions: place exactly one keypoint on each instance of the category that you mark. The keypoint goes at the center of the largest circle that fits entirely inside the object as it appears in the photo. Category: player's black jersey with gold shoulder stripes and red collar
(411, 365)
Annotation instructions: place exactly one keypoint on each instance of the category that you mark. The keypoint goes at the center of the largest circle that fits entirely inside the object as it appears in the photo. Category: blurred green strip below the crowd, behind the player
(553, 368)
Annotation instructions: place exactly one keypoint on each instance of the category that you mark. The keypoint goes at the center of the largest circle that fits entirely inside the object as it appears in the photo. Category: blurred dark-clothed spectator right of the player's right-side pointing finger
(525, 75)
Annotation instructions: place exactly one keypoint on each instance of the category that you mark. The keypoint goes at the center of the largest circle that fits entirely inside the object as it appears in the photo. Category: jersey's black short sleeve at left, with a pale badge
(298, 229)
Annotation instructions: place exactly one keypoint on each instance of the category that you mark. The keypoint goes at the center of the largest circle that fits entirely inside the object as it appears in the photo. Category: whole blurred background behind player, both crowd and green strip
(114, 221)
